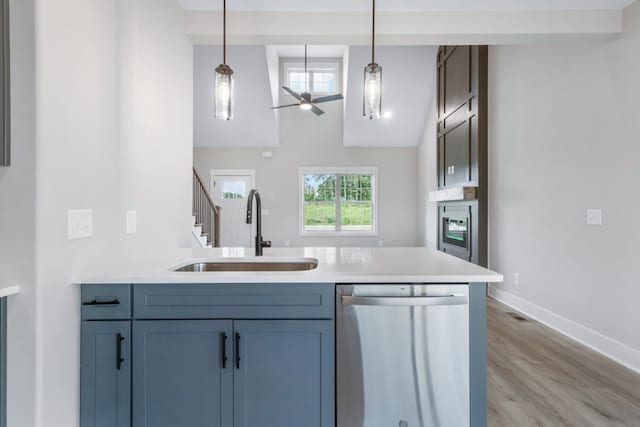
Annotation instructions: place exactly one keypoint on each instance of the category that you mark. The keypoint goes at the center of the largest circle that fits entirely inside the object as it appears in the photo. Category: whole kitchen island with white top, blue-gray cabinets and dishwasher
(248, 348)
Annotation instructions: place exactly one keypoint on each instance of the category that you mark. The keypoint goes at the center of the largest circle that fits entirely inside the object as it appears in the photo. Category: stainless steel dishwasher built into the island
(402, 355)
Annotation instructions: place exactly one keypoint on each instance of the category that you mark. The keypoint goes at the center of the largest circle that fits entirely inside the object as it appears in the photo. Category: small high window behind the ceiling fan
(320, 79)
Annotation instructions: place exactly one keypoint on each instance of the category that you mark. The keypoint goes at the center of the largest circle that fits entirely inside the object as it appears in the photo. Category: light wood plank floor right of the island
(537, 377)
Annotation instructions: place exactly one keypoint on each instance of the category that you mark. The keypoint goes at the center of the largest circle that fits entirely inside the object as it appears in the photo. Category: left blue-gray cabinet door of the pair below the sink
(180, 375)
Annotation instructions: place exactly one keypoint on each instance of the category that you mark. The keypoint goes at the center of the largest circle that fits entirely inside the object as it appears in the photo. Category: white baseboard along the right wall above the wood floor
(614, 350)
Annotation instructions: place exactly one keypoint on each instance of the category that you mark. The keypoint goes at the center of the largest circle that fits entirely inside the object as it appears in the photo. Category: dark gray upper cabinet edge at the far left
(5, 111)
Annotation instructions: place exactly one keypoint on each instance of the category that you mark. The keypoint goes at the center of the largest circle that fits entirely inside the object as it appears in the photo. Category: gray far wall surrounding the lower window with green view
(307, 140)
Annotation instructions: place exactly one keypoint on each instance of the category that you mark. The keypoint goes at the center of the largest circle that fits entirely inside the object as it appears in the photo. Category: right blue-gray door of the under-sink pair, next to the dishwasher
(285, 373)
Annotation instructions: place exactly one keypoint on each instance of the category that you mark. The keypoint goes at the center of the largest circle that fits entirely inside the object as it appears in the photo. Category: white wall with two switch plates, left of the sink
(114, 119)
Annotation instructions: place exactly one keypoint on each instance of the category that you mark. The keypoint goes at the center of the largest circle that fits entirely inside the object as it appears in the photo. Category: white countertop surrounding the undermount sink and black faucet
(335, 265)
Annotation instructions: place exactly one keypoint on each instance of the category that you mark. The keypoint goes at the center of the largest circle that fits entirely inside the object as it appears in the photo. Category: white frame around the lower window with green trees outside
(373, 171)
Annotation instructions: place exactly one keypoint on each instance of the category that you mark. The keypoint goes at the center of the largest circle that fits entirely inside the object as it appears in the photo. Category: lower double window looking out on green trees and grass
(338, 201)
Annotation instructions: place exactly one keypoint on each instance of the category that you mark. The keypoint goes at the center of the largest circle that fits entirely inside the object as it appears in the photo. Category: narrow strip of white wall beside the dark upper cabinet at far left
(17, 220)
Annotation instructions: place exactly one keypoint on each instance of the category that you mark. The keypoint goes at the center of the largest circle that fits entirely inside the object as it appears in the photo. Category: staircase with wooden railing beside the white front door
(206, 216)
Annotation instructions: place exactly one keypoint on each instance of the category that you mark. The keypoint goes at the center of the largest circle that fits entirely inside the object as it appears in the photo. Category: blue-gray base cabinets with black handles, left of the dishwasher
(228, 355)
